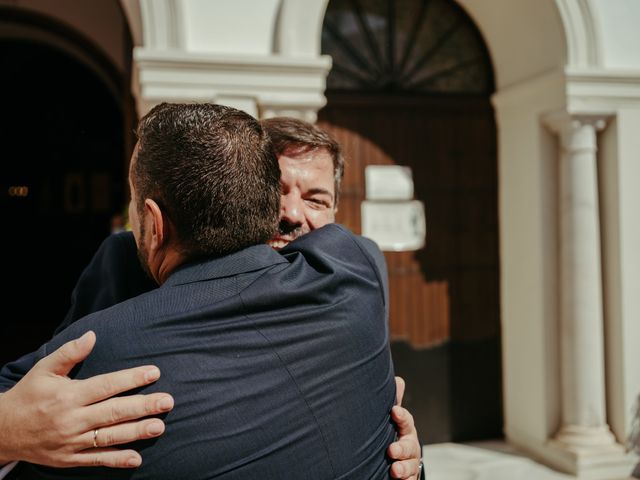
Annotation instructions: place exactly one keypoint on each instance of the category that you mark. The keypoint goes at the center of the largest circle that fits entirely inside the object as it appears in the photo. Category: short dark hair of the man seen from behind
(213, 171)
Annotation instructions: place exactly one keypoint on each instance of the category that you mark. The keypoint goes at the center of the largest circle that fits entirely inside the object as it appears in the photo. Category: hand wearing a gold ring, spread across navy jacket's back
(49, 419)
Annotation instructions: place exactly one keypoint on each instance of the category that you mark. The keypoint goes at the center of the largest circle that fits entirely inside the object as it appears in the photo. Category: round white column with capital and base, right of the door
(584, 428)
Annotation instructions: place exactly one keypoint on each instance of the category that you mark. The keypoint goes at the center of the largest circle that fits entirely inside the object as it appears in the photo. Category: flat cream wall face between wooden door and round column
(527, 165)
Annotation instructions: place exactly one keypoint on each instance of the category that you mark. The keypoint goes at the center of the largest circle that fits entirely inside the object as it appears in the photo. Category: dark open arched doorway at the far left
(62, 181)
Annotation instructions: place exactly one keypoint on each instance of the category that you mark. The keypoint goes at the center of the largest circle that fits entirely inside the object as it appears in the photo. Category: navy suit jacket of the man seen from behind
(279, 365)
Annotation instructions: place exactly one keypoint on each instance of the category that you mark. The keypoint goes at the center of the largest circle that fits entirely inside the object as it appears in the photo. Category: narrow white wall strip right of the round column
(620, 173)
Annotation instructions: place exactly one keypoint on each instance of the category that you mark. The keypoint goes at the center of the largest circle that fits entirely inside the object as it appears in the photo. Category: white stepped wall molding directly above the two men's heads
(280, 85)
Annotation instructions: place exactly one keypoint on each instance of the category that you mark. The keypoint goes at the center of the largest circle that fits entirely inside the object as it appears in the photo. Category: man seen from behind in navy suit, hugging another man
(280, 363)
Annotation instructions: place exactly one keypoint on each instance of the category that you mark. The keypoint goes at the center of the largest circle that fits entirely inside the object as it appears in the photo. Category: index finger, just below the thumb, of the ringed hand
(107, 385)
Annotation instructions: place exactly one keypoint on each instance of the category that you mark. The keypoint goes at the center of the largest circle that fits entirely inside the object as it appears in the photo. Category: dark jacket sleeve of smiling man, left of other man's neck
(113, 276)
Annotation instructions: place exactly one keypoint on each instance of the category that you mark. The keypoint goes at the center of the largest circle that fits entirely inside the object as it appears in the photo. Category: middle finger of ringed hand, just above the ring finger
(122, 409)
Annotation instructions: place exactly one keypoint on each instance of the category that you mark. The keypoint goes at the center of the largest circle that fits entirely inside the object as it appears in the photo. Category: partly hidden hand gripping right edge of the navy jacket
(406, 450)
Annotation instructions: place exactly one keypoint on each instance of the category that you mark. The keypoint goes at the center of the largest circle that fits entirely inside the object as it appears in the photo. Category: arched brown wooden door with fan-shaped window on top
(410, 86)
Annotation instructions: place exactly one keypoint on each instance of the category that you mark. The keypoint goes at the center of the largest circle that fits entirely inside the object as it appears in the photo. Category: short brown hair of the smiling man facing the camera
(297, 137)
